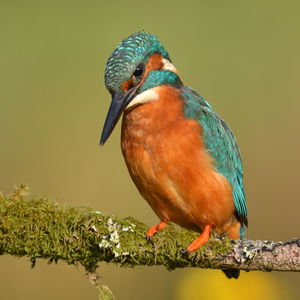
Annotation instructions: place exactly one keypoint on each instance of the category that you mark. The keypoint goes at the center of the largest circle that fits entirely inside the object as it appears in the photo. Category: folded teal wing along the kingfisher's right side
(222, 146)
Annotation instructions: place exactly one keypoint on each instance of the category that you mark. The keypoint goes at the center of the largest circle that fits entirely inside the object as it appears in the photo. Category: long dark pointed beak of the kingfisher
(117, 106)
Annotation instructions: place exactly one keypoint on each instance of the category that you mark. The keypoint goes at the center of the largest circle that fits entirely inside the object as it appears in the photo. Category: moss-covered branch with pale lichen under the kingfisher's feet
(40, 228)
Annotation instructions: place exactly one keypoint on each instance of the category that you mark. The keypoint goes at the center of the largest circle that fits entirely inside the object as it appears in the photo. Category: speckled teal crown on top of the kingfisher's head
(129, 53)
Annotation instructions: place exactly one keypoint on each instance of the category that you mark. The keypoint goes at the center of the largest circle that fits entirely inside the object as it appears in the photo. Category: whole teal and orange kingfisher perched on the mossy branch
(182, 157)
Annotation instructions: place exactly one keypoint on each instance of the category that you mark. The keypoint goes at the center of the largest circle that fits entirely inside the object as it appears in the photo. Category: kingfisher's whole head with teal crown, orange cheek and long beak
(138, 64)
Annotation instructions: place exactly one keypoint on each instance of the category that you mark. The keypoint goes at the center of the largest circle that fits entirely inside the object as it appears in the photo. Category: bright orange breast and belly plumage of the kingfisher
(167, 161)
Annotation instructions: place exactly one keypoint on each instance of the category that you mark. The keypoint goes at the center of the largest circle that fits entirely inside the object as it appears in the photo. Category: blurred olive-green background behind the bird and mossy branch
(242, 56)
